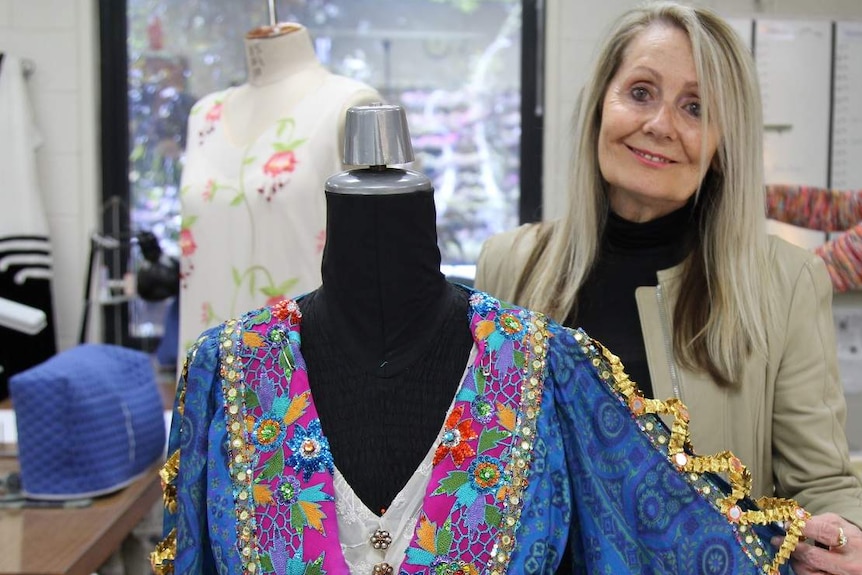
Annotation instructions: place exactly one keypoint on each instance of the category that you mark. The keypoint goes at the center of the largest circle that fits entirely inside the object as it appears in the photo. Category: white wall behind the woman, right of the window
(574, 29)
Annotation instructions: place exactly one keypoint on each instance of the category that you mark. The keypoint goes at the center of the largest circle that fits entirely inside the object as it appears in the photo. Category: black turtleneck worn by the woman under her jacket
(630, 256)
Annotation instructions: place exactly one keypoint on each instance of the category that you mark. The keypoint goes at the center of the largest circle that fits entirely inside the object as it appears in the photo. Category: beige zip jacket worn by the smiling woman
(786, 421)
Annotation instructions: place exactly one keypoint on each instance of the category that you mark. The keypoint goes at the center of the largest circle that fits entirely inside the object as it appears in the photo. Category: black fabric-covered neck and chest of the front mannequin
(385, 338)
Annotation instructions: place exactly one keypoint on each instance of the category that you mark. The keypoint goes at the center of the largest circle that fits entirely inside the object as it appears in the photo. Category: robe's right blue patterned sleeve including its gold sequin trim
(634, 509)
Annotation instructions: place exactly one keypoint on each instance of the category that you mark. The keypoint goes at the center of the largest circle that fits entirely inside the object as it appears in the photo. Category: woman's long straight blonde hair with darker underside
(714, 333)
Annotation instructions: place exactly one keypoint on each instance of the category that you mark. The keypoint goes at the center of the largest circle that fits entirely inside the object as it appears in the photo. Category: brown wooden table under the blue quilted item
(72, 541)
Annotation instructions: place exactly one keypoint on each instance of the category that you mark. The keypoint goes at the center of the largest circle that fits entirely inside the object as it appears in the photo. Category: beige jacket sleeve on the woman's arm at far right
(810, 453)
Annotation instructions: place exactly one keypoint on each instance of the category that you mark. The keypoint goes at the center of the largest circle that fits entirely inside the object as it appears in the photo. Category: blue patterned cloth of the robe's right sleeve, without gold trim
(634, 511)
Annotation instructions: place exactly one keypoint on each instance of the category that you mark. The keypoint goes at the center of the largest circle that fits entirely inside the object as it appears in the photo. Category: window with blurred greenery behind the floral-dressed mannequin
(455, 66)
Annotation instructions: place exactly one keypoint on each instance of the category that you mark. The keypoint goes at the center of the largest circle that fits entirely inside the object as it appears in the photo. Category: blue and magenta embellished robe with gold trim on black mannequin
(539, 451)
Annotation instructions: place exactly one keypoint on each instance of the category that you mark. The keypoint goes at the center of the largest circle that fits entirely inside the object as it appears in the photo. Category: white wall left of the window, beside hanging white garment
(61, 38)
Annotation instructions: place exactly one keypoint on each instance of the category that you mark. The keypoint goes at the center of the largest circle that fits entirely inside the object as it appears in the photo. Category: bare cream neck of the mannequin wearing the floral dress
(276, 53)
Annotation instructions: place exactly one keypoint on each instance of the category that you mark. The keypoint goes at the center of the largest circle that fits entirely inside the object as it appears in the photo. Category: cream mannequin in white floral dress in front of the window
(257, 158)
